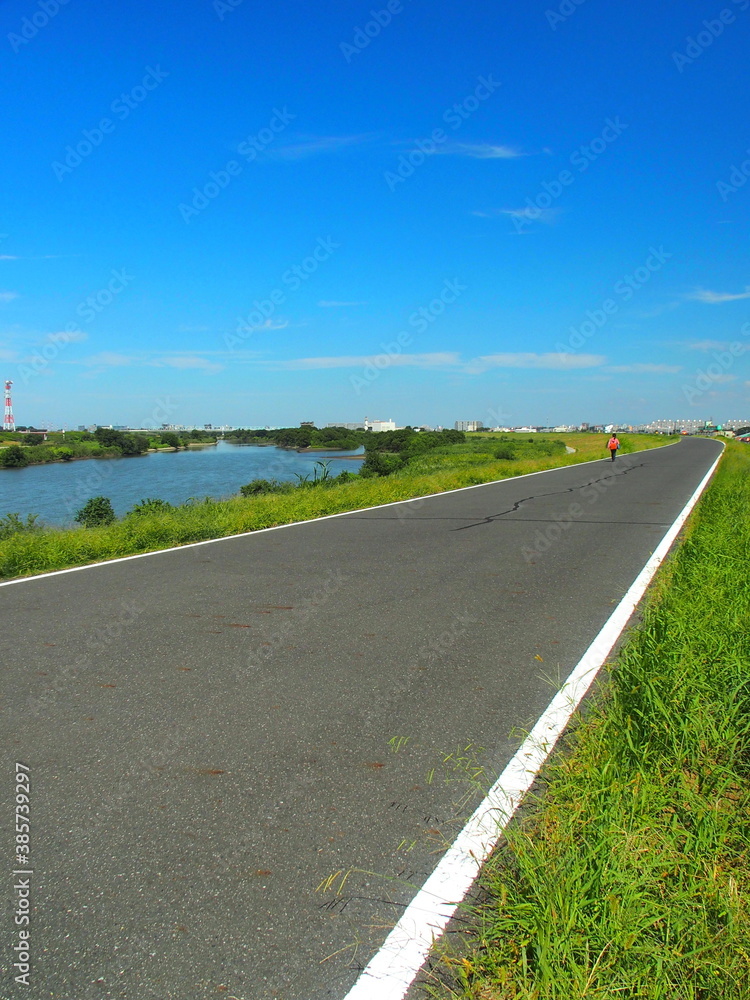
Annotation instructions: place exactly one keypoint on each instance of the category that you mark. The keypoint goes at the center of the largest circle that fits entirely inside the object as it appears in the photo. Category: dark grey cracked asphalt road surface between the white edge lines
(209, 730)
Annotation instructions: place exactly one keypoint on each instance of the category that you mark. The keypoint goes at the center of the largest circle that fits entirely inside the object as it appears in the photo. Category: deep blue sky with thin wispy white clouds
(248, 214)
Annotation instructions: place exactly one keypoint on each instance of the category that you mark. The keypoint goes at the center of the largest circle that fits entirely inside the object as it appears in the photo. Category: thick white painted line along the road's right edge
(393, 969)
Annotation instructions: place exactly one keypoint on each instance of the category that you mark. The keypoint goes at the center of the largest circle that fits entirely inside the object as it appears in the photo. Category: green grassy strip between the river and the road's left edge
(440, 469)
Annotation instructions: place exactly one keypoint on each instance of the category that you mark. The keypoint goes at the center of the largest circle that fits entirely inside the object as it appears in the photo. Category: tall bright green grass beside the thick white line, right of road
(631, 878)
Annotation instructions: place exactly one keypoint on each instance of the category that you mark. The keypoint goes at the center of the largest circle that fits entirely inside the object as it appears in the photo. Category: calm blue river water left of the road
(56, 491)
